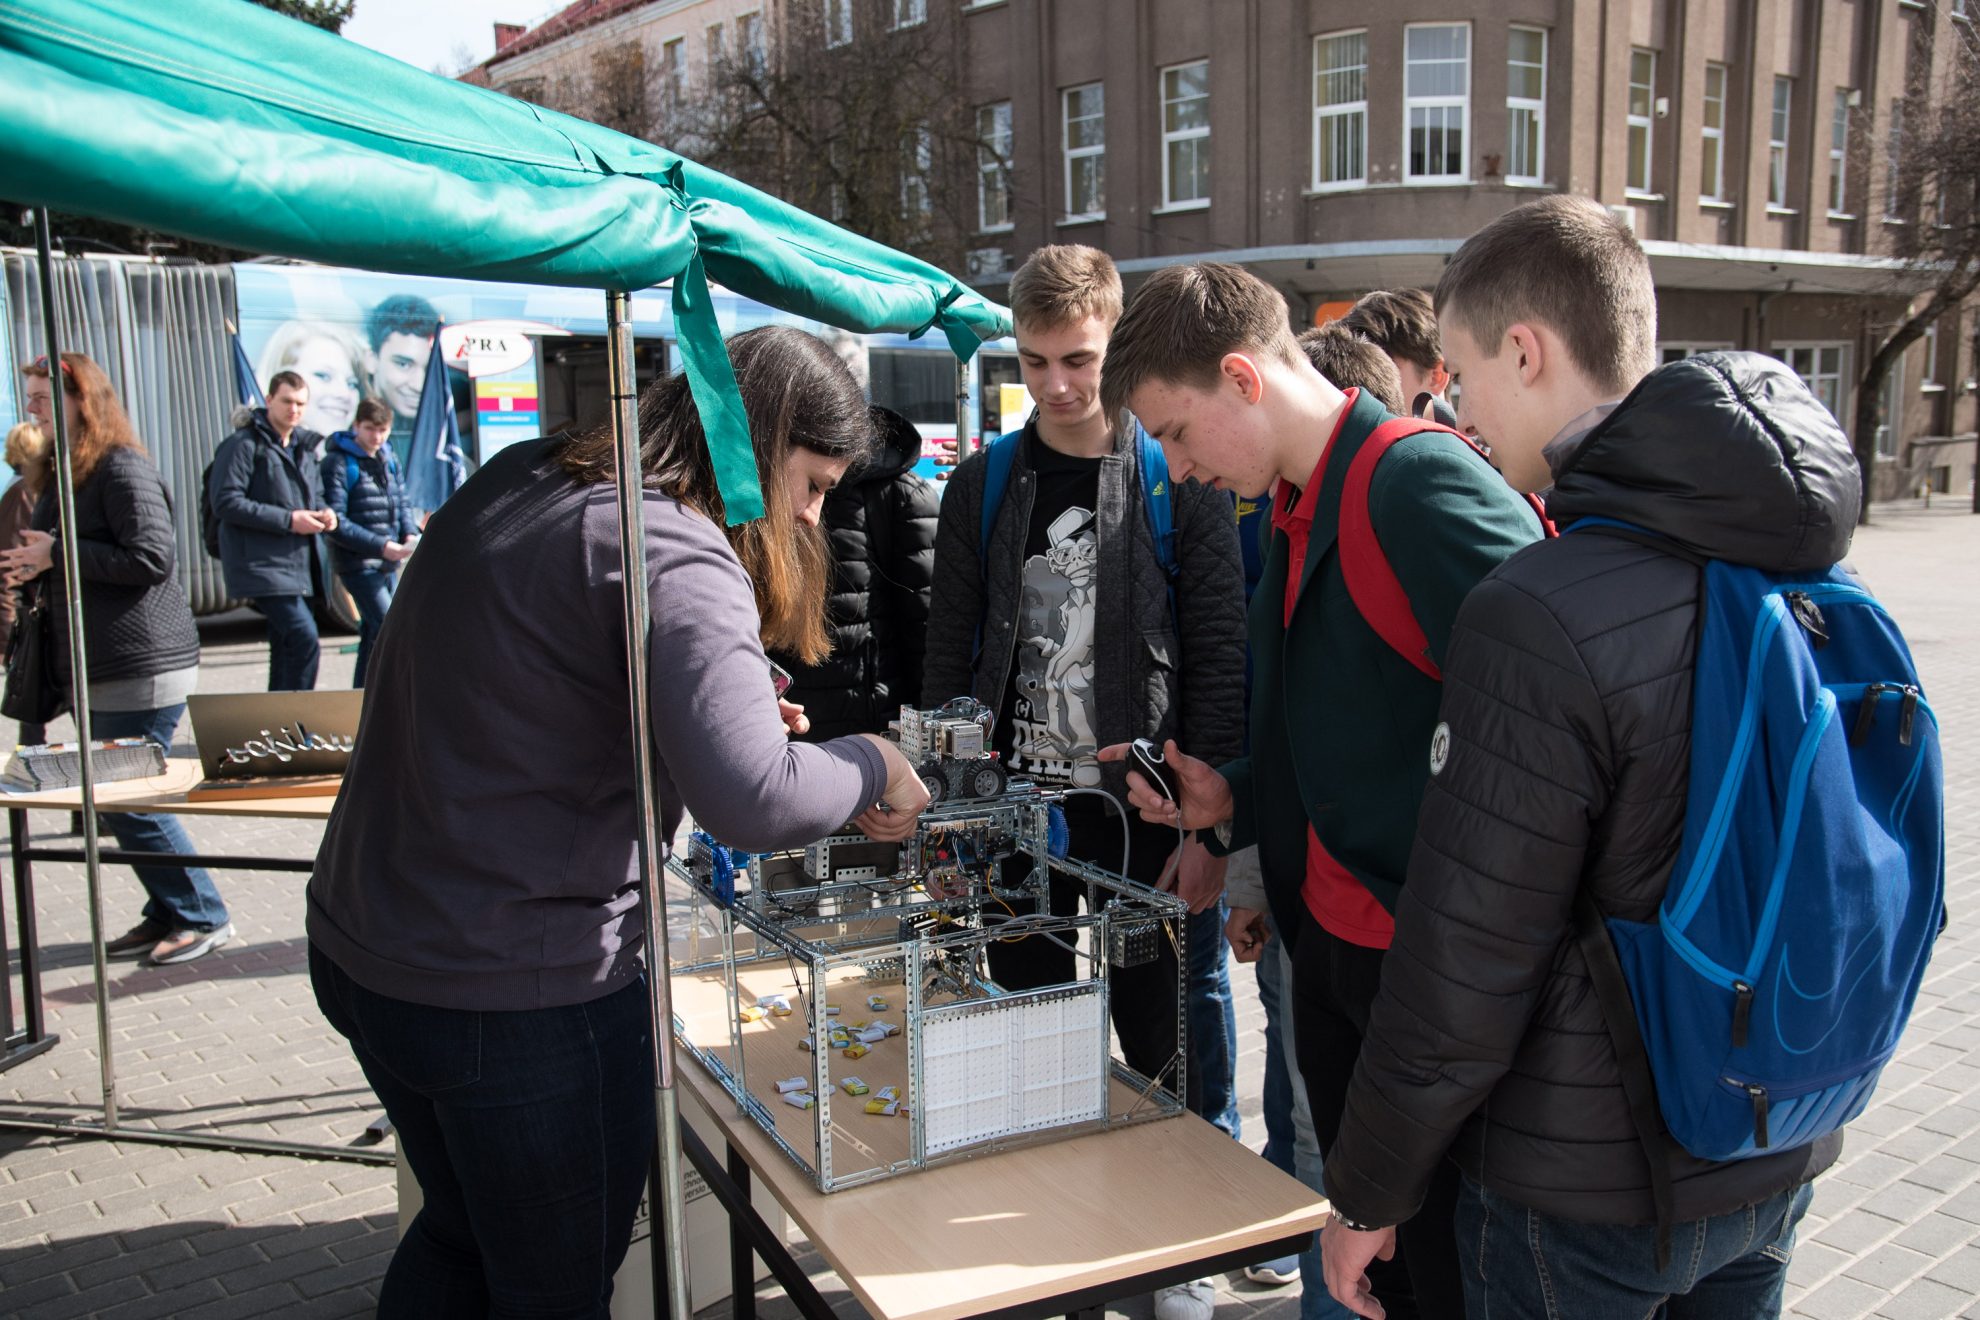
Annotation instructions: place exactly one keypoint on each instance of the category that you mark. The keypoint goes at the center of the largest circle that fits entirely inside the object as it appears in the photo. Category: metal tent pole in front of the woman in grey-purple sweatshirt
(666, 1210)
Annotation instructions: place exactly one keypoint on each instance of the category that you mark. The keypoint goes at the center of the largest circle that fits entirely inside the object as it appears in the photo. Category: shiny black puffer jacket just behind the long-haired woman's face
(882, 529)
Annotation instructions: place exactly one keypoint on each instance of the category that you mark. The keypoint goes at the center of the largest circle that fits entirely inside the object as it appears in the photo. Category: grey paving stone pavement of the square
(235, 1044)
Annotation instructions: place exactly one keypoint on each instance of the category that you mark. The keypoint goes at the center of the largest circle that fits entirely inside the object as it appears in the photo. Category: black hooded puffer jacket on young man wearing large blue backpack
(1569, 704)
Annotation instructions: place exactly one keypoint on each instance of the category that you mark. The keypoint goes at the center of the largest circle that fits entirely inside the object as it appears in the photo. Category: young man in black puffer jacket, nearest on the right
(1561, 769)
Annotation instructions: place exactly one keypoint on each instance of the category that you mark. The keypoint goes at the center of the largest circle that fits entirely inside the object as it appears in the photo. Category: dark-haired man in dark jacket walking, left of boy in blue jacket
(270, 506)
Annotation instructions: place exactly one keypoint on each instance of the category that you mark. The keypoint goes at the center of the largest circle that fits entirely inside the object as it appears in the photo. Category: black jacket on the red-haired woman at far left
(136, 616)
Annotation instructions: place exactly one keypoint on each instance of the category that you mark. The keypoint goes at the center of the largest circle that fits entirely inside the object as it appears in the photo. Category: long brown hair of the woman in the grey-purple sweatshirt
(797, 395)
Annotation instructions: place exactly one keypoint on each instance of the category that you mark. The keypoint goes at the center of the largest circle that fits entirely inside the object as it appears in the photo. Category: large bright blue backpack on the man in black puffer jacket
(1809, 888)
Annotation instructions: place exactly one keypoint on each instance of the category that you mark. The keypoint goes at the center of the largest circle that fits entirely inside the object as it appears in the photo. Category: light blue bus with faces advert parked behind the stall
(524, 361)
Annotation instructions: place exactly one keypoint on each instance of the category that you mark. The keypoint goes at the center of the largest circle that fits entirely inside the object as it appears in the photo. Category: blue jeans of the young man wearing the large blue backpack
(1520, 1264)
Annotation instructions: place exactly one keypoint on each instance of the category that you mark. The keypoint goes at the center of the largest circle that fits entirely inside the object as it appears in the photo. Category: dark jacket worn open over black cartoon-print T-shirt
(1149, 684)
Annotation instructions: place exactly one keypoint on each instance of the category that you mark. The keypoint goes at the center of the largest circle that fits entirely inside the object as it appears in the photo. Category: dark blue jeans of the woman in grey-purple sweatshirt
(530, 1133)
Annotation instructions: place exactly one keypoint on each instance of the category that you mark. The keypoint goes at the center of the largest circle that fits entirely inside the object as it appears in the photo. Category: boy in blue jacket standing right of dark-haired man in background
(375, 531)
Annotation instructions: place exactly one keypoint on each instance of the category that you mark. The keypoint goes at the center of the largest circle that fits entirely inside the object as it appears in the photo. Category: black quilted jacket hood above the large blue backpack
(1728, 454)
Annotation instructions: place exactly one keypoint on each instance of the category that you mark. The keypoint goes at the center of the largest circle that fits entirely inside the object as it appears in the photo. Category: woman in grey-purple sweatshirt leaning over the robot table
(474, 915)
